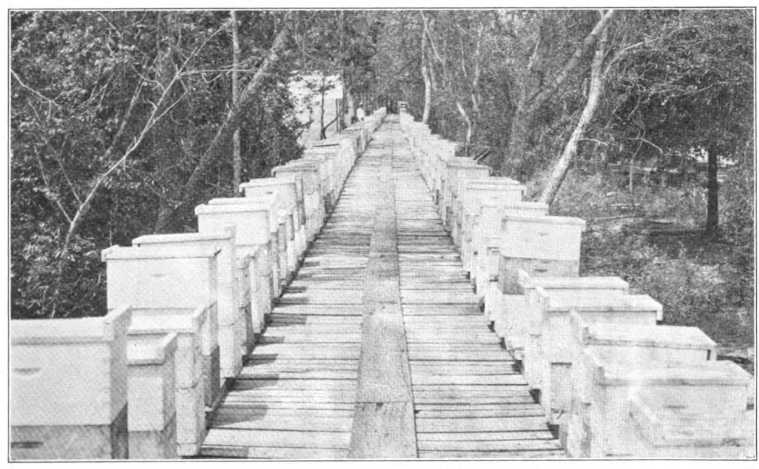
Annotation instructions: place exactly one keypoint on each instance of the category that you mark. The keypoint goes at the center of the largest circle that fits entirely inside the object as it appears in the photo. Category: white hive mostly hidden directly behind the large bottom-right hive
(636, 344)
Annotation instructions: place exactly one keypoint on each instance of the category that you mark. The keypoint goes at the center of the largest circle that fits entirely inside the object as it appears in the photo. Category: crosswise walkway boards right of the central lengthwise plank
(469, 401)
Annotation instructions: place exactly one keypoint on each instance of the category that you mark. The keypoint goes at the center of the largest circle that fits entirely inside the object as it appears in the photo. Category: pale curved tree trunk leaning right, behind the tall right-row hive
(561, 167)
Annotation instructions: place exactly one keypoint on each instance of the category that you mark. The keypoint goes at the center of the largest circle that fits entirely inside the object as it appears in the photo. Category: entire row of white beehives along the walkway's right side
(611, 381)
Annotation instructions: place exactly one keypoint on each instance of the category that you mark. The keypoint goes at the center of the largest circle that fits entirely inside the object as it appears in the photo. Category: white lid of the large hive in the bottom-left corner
(69, 330)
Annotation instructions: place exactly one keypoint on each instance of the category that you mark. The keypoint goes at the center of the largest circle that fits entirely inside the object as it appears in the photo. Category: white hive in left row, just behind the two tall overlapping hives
(255, 225)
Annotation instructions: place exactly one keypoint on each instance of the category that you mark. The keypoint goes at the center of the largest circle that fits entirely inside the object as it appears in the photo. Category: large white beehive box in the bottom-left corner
(68, 388)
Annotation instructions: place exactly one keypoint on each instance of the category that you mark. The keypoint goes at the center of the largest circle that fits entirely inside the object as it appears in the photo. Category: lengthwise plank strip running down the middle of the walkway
(383, 425)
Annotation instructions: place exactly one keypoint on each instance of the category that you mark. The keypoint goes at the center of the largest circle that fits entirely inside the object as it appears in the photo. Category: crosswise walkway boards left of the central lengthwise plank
(296, 395)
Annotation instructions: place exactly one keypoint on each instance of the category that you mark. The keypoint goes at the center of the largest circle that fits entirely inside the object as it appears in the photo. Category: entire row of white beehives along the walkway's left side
(183, 311)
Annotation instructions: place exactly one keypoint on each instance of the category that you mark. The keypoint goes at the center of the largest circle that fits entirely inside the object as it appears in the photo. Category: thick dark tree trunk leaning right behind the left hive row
(192, 189)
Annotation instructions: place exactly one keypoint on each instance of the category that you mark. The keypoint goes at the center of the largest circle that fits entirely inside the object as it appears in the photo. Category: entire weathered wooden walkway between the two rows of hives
(377, 348)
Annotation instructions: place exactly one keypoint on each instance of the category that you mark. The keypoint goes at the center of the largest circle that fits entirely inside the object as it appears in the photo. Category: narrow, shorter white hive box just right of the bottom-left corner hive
(151, 397)
